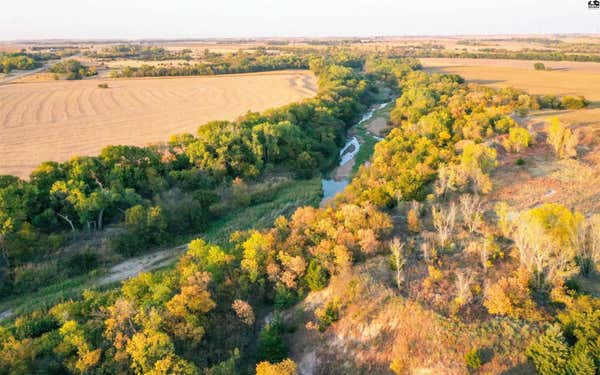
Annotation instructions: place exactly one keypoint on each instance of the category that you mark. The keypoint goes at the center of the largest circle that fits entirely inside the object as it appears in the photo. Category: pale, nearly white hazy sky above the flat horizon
(139, 19)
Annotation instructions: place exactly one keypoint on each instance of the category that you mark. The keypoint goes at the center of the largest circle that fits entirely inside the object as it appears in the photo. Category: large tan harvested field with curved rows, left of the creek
(61, 119)
